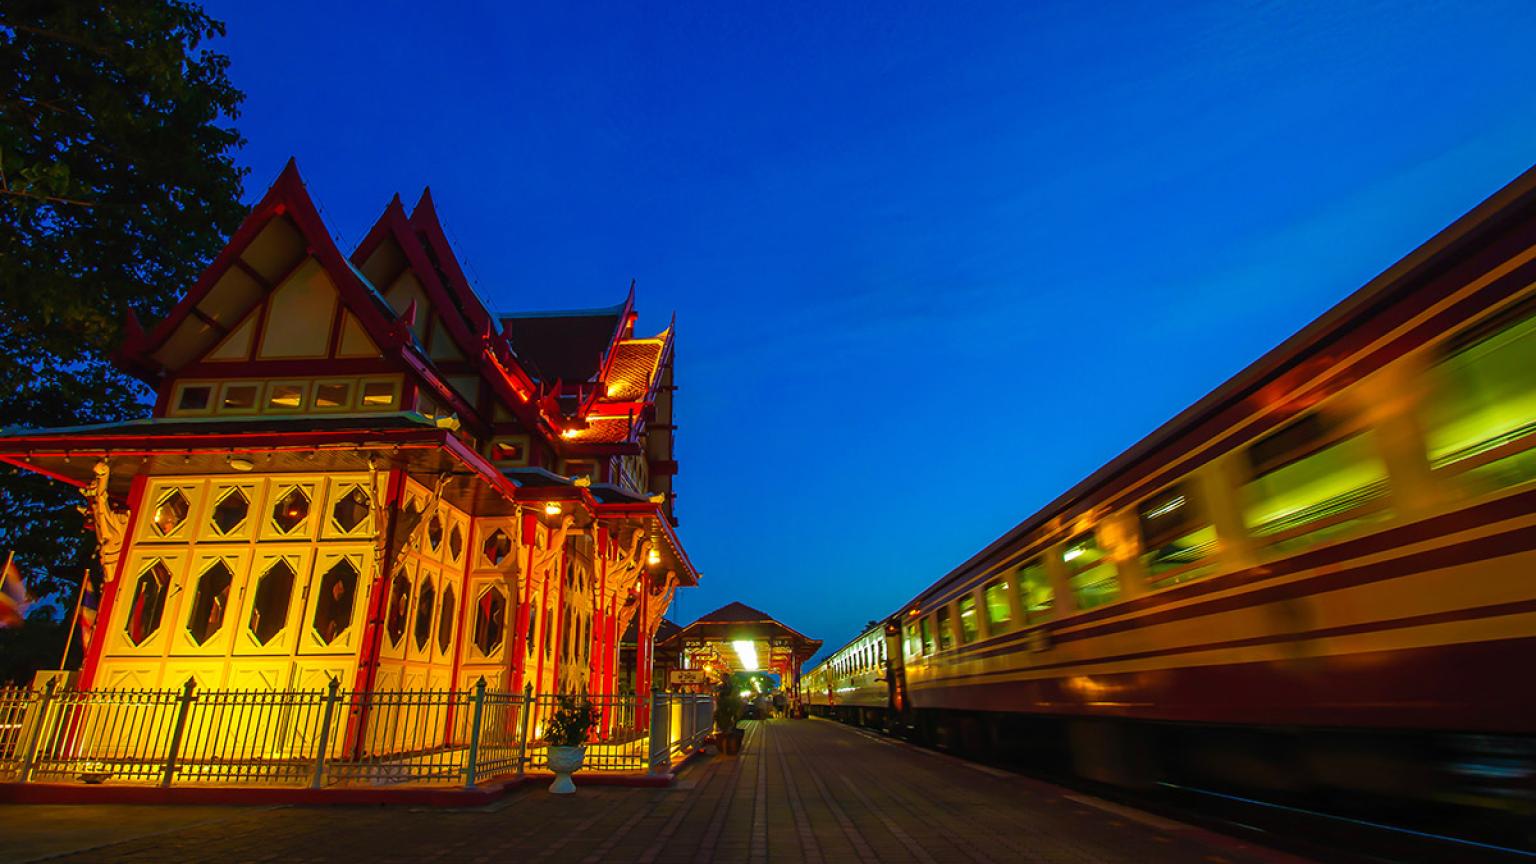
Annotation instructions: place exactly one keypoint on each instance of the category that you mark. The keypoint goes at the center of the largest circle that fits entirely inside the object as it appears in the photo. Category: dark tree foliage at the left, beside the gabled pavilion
(118, 185)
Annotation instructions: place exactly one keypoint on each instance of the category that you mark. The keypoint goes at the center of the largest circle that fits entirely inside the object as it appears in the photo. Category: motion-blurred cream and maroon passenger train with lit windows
(1316, 587)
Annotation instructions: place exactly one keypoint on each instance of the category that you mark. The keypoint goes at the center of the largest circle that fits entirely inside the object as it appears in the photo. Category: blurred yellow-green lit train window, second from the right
(1314, 480)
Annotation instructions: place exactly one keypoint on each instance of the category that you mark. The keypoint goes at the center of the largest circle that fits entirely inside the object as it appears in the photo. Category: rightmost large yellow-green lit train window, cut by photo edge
(1483, 414)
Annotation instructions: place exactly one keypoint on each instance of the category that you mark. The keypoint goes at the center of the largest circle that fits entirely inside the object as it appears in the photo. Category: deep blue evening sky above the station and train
(932, 265)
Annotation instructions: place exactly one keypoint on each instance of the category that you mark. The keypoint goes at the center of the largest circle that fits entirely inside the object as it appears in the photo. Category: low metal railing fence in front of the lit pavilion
(322, 739)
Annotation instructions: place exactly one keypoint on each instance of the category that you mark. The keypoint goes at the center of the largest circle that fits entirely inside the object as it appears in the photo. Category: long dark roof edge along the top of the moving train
(1498, 211)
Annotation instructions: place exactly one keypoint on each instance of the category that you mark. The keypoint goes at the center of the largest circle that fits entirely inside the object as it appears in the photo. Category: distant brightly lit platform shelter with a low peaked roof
(732, 640)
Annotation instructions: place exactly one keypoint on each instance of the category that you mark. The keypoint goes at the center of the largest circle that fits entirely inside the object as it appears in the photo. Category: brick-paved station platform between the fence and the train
(801, 793)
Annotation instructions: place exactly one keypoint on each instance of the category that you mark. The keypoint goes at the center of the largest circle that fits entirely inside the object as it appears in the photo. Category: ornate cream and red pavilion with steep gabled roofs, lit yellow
(354, 471)
